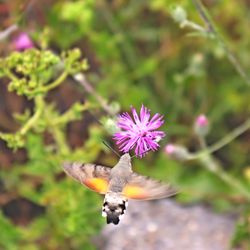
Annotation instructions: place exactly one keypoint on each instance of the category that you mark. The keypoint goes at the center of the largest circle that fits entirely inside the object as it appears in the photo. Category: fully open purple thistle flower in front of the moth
(139, 132)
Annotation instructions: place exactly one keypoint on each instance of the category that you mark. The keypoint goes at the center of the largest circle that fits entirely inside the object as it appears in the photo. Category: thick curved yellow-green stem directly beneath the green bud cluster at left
(39, 105)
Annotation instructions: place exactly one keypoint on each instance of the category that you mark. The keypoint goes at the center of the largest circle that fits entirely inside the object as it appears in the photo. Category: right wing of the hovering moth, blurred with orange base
(143, 188)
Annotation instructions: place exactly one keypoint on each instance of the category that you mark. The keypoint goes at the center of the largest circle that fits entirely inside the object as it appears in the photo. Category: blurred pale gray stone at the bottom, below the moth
(166, 225)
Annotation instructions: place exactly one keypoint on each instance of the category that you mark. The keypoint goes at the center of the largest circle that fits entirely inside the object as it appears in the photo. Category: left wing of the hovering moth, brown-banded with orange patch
(93, 176)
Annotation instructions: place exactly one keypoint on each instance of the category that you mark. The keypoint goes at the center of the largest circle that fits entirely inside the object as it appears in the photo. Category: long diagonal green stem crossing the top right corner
(214, 30)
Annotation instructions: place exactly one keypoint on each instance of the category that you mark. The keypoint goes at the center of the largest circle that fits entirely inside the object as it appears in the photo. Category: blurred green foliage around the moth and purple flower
(137, 53)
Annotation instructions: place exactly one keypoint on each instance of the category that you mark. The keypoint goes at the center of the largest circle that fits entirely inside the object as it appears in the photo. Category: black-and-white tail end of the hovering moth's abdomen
(114, 207)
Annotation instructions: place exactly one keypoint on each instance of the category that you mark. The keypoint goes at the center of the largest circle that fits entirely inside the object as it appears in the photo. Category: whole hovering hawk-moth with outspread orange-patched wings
(118, 184)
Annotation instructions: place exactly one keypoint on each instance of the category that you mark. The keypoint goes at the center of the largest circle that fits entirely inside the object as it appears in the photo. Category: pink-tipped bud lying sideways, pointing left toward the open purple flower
(177, 152)
